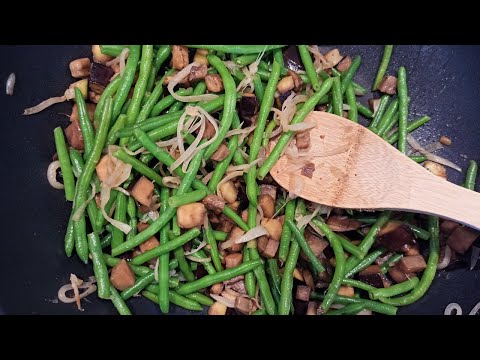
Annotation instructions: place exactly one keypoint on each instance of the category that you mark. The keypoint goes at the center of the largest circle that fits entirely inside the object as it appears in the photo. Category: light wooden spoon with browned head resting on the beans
(356, 169)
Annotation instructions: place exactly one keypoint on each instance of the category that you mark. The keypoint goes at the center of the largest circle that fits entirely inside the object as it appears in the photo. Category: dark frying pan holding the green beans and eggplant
(444, 82)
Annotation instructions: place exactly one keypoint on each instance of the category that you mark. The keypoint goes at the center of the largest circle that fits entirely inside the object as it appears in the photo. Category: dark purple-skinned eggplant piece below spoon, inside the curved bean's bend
(396, 236)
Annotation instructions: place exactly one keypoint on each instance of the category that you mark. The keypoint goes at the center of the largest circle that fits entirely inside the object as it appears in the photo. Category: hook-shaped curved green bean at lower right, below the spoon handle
(428, 274)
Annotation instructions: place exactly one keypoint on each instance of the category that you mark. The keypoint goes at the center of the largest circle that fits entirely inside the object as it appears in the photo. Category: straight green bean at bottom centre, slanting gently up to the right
(209, 280)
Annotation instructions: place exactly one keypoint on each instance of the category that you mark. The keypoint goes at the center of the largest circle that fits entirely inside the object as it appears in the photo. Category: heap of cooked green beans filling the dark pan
(137, 121)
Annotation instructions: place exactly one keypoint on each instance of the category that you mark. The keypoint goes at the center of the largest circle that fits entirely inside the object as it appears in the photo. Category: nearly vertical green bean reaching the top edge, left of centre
(141, 84)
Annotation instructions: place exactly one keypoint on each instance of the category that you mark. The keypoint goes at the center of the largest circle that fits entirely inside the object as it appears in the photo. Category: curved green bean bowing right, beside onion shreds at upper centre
(228, 106)
